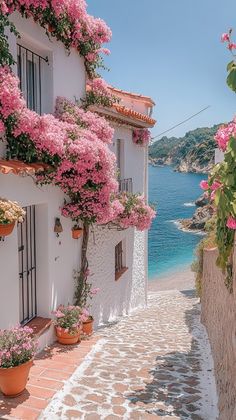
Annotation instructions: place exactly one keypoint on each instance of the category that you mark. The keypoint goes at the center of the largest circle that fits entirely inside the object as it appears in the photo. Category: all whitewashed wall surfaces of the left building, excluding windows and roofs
(57, 257)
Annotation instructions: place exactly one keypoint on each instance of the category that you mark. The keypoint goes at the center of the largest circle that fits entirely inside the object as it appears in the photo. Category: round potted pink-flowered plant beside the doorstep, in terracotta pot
(68, 324)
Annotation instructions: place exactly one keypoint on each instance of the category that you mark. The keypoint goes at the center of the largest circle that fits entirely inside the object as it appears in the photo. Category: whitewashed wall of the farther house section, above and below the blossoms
(130, 290)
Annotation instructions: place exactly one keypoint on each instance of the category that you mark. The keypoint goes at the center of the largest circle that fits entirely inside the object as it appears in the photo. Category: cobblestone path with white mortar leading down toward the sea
(153, 364)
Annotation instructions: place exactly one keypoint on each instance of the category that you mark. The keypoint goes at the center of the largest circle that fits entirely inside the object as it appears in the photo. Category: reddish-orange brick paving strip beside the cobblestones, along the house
(50, 371)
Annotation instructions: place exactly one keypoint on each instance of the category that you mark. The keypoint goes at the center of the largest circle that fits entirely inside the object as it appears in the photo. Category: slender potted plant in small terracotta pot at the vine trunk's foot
(85, 293)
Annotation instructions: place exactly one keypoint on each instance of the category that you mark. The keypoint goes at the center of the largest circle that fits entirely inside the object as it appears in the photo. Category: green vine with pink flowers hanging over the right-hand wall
(221, 185)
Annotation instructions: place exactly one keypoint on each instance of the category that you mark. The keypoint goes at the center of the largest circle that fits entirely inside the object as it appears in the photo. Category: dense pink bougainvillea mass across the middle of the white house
(82, 164)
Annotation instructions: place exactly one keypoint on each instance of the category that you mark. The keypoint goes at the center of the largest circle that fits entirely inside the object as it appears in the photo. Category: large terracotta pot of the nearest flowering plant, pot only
(13, 380)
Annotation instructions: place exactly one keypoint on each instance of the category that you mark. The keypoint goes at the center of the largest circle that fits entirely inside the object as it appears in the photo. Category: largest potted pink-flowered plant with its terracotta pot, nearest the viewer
(17, 350)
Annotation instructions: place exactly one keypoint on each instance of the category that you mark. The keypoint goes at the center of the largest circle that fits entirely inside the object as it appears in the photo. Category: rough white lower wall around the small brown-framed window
(116, 298)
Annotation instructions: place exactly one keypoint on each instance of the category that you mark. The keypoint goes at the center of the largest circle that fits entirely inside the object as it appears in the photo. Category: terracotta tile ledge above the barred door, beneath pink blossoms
(17, 167)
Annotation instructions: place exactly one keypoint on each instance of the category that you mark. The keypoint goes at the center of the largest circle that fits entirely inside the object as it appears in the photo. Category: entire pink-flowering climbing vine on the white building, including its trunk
(75, 141)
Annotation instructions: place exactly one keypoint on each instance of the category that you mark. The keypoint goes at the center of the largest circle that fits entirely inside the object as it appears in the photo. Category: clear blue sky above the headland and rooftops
(171, 51)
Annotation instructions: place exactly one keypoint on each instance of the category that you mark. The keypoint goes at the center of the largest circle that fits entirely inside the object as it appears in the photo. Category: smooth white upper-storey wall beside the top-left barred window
(64, 76)
